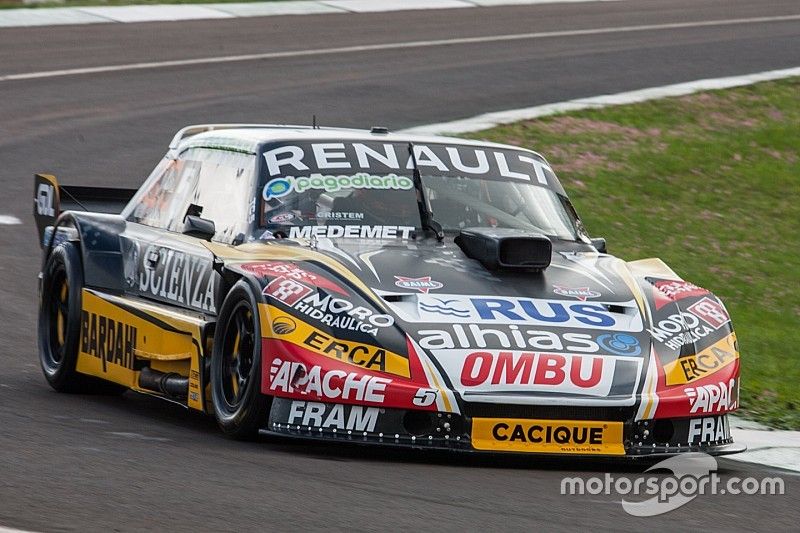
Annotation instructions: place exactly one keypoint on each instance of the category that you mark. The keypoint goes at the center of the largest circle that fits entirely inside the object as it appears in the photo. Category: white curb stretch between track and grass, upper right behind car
(490, 120)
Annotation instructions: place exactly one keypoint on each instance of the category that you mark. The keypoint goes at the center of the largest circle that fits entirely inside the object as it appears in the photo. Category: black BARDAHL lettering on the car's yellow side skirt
(110, 341)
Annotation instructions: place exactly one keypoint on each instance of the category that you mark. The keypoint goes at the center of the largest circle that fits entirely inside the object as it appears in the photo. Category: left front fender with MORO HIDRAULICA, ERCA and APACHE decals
(323, 340)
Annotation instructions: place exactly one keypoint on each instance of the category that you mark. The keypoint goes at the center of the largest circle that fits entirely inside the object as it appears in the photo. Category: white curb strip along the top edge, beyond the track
(176, 12)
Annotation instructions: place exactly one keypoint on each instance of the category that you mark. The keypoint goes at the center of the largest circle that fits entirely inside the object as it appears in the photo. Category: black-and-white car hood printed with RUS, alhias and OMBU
(575, 330)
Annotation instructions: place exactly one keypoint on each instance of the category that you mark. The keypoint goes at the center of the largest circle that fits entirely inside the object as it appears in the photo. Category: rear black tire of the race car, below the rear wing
(60, 324)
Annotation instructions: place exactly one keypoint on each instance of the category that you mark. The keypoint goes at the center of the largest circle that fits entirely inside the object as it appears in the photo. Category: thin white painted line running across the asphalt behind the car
(390, 46)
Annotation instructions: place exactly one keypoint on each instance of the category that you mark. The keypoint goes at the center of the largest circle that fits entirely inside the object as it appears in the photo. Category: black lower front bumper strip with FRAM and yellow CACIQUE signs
(449, 431)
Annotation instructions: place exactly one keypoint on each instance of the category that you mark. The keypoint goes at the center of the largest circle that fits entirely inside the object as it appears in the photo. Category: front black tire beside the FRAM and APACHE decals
(239, 406)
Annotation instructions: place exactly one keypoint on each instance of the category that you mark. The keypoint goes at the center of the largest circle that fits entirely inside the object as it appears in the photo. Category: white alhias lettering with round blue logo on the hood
(512, 336)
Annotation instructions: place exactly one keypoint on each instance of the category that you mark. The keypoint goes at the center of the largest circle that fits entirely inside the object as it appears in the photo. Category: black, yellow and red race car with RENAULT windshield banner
(377, 288)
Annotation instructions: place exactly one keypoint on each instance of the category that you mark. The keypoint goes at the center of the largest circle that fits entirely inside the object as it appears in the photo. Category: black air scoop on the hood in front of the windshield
(506, 249)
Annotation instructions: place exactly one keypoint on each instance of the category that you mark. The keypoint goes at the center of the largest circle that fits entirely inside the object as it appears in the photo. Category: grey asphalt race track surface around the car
(133, 463)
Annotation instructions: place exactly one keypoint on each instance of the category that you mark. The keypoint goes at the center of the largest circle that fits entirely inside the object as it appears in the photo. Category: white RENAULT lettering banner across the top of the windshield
(388, 157)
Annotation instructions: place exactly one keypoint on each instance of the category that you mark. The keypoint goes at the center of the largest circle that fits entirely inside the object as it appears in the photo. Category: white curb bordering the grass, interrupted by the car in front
(765, 446)
